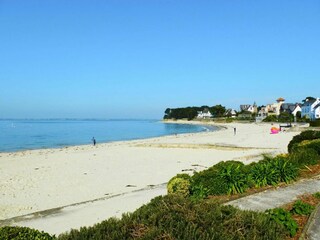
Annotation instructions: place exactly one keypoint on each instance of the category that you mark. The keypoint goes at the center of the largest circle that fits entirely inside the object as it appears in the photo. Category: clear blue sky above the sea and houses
(135, 58)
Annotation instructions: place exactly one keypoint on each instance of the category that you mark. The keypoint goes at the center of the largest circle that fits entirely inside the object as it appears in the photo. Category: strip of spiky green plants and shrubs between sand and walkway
(234, 177)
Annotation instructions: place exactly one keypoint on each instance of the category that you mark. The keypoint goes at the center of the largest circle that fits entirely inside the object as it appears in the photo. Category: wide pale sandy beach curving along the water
(38, 181)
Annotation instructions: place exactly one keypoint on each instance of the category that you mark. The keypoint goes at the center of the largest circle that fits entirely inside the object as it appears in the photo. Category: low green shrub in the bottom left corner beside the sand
(23, 233)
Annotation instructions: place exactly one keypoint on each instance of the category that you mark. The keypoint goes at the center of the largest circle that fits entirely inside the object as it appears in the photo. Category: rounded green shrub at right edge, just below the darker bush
(304, 156)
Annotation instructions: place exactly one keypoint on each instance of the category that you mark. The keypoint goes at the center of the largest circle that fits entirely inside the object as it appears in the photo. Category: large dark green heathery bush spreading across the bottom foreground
(175, 217)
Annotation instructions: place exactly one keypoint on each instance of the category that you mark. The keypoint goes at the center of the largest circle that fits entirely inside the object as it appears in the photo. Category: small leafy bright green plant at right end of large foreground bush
(284, 217)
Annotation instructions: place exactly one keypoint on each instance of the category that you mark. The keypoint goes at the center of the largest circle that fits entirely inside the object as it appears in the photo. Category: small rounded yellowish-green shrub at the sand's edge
(179, 185)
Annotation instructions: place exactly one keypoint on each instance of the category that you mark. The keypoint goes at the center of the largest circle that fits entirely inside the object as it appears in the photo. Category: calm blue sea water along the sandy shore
(16, 135)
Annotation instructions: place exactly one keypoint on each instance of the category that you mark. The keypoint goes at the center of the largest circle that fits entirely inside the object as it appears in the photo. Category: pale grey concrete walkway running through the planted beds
(274, 198)
